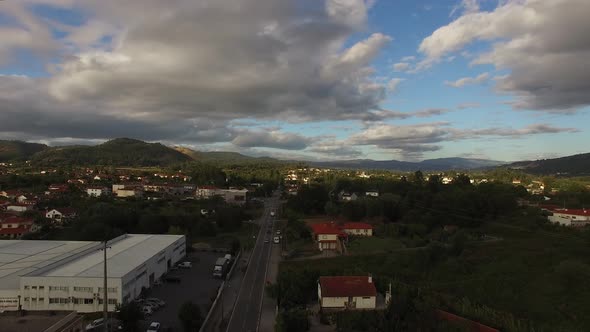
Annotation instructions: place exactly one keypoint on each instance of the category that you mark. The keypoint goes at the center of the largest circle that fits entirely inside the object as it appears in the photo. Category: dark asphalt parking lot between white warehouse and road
(196, 284)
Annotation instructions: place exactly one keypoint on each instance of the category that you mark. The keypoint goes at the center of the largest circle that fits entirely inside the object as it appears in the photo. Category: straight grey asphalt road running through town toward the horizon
(246, 314)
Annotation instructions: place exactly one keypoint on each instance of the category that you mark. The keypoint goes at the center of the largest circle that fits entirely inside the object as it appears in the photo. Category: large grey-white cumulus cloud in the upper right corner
(543, 44)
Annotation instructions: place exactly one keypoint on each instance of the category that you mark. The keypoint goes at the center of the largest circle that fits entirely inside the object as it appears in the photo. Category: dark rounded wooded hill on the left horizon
(116, 152)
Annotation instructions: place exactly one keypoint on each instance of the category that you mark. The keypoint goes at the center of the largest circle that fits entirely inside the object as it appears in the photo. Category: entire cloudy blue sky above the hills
(302, 79)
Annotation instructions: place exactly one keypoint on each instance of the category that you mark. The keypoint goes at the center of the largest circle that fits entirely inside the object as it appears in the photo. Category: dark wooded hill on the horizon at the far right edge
(571, 165)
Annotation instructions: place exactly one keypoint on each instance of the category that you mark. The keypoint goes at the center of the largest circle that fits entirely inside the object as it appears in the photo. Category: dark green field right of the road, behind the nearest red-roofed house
(539, 276)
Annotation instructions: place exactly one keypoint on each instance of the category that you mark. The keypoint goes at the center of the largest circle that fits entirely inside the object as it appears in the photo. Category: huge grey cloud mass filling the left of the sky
(184, 70)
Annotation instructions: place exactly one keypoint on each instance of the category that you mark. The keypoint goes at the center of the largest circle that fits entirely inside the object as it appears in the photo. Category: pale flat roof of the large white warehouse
(77, 258)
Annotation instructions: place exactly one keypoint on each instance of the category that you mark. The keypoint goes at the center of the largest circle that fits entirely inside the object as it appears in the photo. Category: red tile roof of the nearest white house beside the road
(344, 286)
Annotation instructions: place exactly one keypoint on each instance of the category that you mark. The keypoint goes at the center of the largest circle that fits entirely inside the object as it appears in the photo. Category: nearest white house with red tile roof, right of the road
(347, 292)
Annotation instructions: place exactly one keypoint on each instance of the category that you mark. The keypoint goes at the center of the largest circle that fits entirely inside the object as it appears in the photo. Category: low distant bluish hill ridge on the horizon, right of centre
(441, 164)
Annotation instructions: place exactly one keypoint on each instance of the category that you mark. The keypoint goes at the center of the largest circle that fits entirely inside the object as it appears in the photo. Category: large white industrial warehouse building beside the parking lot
(69, 275)
